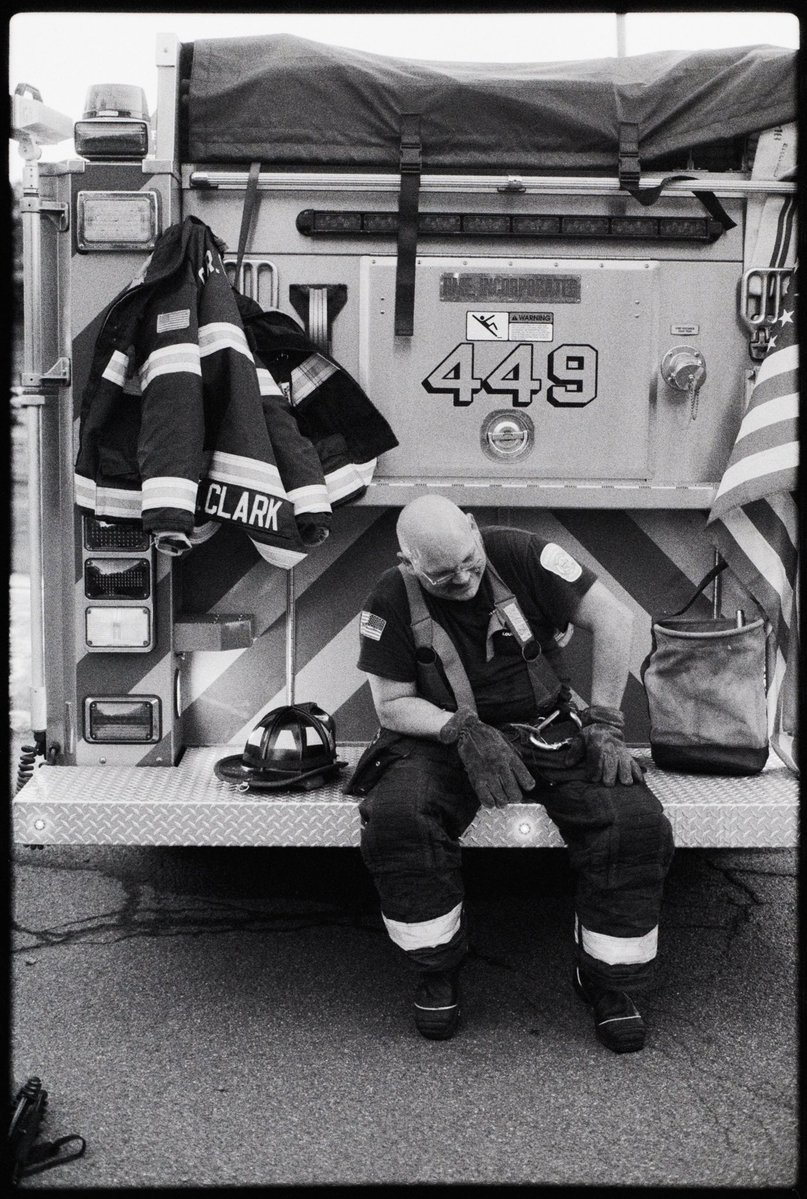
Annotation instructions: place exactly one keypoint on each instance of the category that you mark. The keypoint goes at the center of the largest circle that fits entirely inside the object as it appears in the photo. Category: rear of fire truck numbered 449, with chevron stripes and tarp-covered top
(555, 281)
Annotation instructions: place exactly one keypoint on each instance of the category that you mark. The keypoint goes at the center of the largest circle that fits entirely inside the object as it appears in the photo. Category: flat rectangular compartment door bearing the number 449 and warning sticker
(520, 369)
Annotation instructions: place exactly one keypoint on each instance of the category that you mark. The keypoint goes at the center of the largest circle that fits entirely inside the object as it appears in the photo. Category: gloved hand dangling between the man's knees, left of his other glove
(495, 770)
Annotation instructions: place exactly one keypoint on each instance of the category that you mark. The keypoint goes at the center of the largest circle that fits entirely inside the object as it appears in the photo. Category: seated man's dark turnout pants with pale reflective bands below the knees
(619, 841)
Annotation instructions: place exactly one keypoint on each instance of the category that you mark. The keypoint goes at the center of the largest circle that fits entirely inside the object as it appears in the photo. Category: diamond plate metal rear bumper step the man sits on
(186, 805)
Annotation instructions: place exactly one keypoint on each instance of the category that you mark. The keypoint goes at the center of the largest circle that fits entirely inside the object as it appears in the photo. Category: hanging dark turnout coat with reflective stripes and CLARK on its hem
(172, 430)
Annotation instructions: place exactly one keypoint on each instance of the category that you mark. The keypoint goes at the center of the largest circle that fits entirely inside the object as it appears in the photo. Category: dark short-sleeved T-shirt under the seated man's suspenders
(545, 580)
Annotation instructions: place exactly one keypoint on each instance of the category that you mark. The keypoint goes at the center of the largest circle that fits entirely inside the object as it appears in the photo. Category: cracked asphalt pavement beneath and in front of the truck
(238, 1017)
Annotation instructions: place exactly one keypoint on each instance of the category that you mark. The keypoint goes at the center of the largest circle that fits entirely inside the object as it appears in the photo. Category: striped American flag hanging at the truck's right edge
(755, 519)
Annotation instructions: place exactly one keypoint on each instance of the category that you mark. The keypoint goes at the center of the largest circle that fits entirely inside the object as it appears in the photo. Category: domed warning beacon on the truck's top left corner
(116, 124)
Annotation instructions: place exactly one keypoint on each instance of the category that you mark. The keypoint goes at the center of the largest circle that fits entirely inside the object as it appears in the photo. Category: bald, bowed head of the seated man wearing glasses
(438, 539)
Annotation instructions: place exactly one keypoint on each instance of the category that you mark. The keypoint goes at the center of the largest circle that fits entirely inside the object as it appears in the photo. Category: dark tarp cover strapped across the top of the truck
(291, 103)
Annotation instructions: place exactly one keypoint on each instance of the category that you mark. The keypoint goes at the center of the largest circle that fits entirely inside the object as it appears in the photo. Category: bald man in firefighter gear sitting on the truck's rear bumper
(457, 641)
